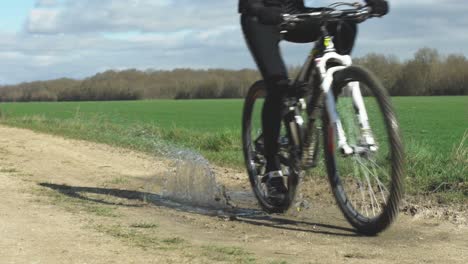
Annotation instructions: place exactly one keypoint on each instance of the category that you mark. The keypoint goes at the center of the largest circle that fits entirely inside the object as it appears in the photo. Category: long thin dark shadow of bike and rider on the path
(244, 215)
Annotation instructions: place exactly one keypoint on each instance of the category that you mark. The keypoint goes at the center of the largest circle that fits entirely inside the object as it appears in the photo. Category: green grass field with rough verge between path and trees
(433, 131)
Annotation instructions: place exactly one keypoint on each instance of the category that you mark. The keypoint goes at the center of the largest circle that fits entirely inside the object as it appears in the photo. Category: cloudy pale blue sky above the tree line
(47, 39)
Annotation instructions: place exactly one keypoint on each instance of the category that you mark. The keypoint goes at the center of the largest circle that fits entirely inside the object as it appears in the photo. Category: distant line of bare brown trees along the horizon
(427, 73)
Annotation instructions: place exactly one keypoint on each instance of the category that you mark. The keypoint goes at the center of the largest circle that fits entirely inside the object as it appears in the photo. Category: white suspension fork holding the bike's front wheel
(353, 87)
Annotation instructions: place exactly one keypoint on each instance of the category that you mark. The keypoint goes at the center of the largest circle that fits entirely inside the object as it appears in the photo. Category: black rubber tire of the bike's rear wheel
(252, 95)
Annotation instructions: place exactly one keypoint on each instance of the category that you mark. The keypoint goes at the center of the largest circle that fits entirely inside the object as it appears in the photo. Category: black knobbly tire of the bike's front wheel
(368, 226)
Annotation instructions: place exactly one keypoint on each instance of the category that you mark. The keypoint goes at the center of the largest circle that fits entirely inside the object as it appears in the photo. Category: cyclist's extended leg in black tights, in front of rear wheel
(263, 42)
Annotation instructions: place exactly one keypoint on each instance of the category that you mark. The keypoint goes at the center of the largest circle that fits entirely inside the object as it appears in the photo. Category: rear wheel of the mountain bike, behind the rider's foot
(252, 142)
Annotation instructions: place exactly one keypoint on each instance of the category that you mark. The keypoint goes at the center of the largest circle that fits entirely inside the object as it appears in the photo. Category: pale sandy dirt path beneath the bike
(68, 201)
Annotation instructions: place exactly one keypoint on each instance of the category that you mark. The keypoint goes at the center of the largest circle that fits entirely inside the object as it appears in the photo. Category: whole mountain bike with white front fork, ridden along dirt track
(346, 104)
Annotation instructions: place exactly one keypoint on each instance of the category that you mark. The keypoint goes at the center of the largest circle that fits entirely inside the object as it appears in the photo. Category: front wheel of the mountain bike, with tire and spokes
(367, 184)
